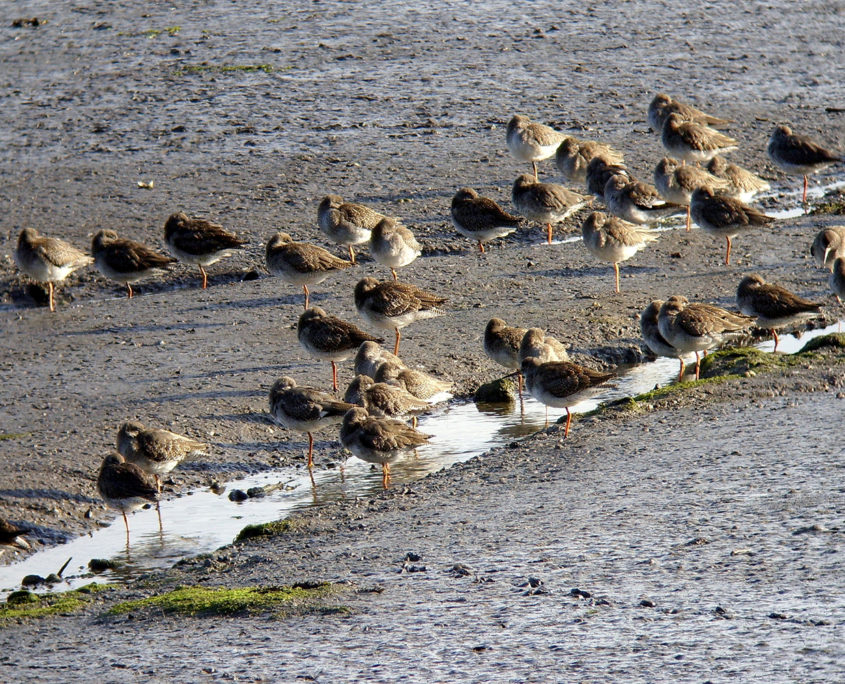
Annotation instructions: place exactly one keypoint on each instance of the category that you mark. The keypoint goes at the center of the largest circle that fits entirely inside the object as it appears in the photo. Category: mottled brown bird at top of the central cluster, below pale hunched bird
(391, 305)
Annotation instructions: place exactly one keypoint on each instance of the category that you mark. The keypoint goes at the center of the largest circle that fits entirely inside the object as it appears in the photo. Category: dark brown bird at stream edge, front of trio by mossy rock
(561, 384)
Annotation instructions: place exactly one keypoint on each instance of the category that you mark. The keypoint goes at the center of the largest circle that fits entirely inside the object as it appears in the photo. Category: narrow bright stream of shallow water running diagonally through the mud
(200, 521)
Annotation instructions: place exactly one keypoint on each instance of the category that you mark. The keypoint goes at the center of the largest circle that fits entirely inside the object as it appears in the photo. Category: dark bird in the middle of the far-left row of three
(126, 261)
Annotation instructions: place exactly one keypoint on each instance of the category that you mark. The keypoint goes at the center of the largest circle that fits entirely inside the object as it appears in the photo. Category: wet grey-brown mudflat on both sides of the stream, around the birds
(697, 508)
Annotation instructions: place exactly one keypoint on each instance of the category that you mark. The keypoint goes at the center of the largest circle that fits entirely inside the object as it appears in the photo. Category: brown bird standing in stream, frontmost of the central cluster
(378, 440)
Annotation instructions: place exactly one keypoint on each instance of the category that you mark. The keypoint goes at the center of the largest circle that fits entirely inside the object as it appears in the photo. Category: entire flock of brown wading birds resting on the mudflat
(714, 198)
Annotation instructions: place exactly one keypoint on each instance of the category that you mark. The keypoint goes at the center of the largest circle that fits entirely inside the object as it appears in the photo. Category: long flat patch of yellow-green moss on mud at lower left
(207, 601)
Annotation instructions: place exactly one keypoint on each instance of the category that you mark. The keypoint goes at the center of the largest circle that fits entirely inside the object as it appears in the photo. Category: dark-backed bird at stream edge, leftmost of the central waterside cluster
(305, 409)
